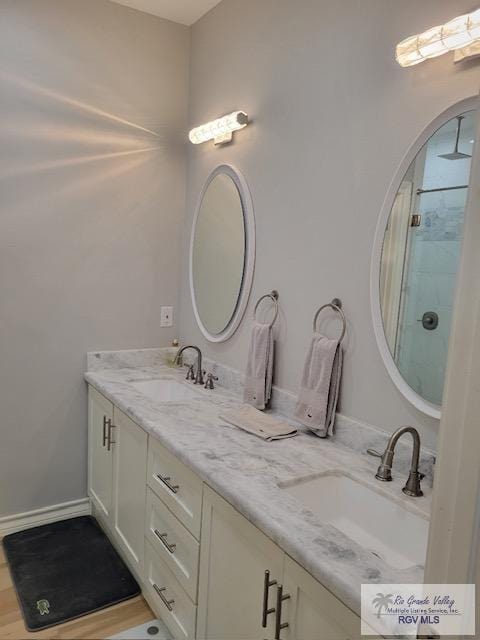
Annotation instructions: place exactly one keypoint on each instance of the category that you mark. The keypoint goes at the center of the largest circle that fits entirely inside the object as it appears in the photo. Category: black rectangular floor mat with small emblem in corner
(65, 570)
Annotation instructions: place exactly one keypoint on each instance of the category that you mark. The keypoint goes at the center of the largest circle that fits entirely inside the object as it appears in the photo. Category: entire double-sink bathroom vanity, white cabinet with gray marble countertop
(214, 523)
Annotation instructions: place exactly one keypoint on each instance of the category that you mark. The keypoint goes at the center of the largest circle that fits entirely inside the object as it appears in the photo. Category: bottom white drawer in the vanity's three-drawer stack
(167, 598)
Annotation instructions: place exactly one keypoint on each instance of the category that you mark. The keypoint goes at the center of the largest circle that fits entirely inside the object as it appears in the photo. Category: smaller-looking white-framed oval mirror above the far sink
(222, 253)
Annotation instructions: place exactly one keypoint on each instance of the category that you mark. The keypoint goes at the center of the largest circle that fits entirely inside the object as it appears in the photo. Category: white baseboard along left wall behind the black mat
(45, 515)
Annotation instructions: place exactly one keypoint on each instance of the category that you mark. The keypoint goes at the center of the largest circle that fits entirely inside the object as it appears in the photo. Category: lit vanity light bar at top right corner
(456, 34)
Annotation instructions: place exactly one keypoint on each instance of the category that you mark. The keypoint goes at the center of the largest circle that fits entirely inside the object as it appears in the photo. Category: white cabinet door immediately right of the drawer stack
(234, 556)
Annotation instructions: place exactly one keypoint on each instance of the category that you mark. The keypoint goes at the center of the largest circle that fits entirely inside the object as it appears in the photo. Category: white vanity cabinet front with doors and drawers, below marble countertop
(202, 565)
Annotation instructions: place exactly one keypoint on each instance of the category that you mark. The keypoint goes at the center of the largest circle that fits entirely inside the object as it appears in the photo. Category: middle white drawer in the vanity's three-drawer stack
(173, 543)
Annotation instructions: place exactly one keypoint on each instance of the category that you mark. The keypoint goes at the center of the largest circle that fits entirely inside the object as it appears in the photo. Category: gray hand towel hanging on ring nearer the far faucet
(258, 375)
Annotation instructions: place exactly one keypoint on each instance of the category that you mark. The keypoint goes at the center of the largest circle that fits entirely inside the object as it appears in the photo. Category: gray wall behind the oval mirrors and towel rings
(333, 115)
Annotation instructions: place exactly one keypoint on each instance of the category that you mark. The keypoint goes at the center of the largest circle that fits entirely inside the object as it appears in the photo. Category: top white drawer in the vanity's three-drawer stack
(175, 484)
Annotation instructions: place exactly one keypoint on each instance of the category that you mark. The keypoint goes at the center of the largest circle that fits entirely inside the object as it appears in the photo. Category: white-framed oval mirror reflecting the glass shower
(416, 255)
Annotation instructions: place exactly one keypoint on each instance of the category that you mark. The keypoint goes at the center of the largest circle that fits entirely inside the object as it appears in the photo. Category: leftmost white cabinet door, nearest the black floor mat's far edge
(100, 455)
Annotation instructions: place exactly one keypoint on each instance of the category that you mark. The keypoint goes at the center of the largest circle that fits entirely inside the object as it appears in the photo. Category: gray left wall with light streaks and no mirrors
(90, 204)
